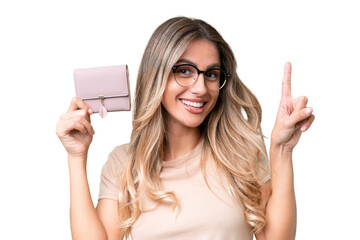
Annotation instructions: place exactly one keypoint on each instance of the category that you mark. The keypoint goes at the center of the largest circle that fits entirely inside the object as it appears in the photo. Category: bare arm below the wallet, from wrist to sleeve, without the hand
(86, 221)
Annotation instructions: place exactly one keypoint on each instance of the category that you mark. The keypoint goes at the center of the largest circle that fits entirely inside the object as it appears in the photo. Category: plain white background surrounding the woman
(43, 41)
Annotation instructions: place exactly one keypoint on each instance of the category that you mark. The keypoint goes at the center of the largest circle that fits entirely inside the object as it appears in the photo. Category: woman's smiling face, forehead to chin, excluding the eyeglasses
(189, 106)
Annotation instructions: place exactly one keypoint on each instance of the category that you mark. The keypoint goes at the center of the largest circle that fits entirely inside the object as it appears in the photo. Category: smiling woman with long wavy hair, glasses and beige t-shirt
(196, 166)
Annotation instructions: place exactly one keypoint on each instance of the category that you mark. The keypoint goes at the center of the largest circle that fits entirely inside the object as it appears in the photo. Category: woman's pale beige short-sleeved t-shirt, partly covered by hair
(203, 214)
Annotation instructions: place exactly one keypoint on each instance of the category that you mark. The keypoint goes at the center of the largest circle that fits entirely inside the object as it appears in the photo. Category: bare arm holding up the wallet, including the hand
(75, 133)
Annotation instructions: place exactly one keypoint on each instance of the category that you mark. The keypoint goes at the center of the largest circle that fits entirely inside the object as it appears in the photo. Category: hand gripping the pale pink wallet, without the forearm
(74, 129)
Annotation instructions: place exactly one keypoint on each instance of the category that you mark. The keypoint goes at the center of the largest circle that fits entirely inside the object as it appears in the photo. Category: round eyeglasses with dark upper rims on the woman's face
(186, 75)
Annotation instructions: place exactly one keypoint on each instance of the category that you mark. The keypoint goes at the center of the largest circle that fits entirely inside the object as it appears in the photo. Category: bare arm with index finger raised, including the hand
(293, 118)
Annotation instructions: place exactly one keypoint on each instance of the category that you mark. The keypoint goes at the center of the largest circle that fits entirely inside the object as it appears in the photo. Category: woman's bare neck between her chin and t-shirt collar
(180, 140)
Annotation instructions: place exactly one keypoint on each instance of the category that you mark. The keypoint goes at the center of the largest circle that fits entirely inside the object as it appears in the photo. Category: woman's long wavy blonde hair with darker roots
(232, 132)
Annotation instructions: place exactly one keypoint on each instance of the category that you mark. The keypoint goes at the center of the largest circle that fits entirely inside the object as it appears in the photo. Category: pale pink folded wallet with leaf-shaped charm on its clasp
(105, 89)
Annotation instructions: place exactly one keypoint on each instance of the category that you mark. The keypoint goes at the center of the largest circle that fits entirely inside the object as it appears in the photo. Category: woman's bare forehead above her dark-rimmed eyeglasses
(202, 53)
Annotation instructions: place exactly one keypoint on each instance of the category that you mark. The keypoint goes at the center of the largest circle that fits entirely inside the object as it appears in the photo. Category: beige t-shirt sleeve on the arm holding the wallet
(110, 173)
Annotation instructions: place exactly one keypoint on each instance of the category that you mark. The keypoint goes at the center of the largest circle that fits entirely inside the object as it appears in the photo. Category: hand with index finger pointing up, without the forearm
(293, 116)
